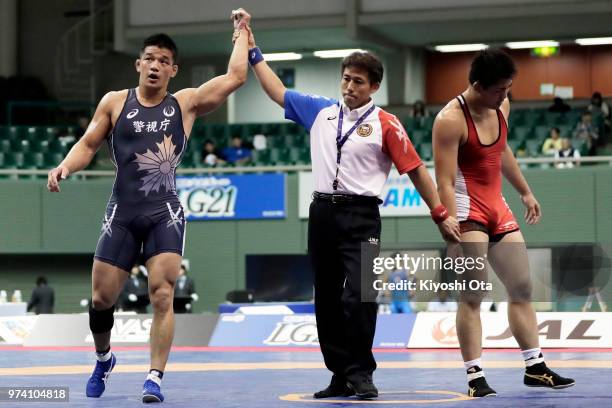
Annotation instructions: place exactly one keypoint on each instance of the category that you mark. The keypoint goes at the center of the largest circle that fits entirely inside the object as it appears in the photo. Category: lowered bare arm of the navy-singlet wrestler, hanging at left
(85, 149)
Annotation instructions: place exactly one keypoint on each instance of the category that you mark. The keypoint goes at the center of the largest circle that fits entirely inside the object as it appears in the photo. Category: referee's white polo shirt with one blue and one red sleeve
(368, 153)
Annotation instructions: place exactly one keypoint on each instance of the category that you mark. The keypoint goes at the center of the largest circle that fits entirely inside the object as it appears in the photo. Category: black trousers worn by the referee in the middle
(343, 239)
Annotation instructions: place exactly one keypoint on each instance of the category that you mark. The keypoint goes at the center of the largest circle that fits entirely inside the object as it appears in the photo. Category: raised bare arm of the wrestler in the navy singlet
(210, 95)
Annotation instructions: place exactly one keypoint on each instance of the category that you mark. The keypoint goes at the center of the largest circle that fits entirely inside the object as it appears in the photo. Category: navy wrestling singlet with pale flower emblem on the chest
(144, 212)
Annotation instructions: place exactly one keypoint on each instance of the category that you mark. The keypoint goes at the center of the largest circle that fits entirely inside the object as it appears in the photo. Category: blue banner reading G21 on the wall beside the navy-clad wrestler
(235, 197)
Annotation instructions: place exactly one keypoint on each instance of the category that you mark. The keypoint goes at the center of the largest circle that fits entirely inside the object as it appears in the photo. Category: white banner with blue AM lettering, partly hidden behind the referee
(400, 197)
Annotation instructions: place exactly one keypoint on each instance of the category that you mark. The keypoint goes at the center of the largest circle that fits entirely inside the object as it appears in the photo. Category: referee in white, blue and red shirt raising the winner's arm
(353, 145)
